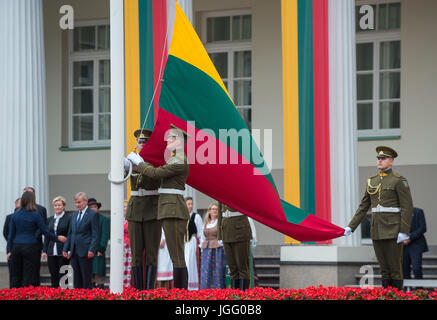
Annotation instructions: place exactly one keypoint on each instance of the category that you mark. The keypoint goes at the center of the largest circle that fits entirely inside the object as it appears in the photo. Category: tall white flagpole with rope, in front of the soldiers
(117, 144)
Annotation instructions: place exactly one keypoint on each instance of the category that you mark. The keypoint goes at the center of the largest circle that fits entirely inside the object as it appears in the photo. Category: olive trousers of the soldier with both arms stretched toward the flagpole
(175, 230)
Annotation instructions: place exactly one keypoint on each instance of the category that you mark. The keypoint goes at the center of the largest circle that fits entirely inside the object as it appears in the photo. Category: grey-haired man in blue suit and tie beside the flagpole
(82, 241)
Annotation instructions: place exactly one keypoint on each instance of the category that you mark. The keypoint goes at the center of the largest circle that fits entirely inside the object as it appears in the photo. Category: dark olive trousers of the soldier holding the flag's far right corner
(389, 255)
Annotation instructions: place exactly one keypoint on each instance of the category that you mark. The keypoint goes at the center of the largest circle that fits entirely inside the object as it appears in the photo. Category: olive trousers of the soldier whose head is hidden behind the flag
(237, 255)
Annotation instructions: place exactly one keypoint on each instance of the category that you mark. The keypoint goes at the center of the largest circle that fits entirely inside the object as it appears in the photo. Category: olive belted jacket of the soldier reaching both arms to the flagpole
(172, 175)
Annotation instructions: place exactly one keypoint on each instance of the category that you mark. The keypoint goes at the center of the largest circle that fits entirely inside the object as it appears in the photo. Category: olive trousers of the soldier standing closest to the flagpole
(144, 235)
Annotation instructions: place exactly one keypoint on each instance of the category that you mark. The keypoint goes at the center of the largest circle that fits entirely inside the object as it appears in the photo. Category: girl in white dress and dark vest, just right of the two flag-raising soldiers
(195, 229)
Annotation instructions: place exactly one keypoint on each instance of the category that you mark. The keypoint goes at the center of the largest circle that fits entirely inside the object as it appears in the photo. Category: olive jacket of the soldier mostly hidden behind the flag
(234, 229)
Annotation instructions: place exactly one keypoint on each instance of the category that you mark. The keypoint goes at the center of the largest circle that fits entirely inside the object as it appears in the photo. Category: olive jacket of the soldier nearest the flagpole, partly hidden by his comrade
(143, 208)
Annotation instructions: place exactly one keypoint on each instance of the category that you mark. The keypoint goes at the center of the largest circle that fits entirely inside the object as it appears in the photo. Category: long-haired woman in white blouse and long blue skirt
(212, 268)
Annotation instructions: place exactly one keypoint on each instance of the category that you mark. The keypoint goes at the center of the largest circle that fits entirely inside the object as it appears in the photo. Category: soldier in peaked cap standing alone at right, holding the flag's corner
(388, 195)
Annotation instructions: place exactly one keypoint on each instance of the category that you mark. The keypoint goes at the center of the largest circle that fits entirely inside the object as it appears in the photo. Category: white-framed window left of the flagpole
(89, 90)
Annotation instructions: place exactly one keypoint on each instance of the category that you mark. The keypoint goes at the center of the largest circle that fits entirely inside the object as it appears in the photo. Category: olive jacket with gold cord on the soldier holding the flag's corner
(391, 190)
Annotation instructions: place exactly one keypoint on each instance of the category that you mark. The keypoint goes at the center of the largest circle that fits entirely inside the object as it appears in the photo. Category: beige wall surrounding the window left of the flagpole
(67, 162)
